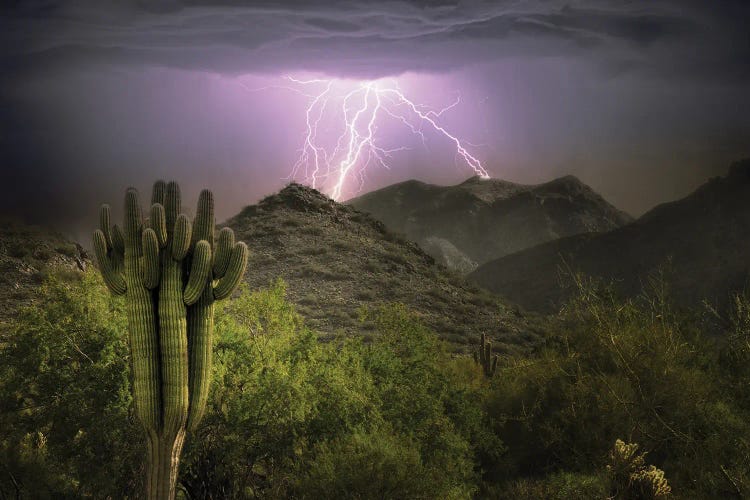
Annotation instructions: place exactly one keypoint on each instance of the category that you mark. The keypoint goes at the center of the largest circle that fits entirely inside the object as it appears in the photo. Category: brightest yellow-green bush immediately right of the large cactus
(276, 392)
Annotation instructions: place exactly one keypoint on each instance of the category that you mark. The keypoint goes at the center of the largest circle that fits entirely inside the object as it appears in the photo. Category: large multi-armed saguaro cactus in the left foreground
(170, 274)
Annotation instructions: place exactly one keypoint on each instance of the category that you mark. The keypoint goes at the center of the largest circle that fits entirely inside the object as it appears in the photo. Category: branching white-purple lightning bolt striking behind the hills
(356, 148)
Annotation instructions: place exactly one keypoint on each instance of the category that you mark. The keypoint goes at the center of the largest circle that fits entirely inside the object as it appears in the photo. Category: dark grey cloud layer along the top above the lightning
(373, 39)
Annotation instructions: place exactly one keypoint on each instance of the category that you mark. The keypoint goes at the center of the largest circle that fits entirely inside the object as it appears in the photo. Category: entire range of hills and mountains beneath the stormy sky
(337, 259)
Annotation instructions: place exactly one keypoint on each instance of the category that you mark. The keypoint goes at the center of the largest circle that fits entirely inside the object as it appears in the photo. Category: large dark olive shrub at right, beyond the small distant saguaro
(635, 368)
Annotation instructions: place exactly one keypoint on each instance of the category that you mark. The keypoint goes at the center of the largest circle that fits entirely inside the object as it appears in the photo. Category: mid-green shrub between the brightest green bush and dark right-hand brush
(426, 396)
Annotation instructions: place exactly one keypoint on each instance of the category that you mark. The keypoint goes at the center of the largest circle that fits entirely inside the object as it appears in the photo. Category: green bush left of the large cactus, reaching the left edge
(66, 426)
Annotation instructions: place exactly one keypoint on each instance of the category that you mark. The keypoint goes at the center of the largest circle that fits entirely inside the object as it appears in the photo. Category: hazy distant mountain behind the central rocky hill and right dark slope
(479, 220)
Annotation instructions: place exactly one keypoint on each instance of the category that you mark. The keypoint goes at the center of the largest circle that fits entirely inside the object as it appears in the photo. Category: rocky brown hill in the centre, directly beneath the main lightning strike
(336, 260)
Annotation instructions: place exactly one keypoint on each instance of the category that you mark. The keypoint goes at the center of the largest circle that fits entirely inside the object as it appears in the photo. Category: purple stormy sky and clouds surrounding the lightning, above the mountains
(641, 100)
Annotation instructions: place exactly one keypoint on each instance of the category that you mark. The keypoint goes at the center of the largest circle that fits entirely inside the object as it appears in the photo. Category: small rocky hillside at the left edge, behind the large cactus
(27, 254)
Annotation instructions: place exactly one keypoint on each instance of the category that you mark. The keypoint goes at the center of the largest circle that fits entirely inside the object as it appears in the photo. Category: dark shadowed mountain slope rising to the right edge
(702, 241)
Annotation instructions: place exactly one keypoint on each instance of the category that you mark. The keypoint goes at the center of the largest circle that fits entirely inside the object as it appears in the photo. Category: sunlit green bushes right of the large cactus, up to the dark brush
(286, 408)
